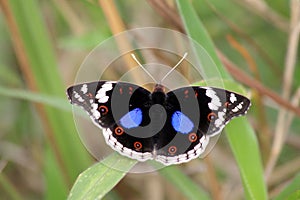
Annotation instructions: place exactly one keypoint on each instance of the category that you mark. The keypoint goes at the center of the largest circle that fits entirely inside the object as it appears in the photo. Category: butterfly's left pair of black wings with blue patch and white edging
(121, 109)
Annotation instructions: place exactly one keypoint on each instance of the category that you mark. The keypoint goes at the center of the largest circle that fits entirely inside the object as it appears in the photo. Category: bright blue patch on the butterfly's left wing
(132, 119)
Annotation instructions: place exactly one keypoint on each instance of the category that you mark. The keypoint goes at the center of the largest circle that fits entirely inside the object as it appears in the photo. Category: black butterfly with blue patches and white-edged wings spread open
(172, 128)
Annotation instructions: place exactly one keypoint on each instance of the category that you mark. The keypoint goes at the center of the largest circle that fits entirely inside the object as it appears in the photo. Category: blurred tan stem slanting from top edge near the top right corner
(261, 8)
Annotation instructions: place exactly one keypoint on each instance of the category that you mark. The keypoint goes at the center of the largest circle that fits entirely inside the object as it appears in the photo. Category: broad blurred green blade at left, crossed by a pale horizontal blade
(39, 52)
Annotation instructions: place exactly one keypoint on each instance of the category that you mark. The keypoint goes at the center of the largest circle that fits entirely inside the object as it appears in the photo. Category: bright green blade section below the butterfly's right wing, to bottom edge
(245, 149)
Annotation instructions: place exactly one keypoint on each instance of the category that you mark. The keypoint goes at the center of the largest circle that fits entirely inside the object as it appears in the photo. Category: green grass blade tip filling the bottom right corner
(291, 191)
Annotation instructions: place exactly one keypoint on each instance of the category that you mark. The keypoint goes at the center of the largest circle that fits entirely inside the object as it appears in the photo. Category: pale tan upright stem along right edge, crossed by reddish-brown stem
(281, 129)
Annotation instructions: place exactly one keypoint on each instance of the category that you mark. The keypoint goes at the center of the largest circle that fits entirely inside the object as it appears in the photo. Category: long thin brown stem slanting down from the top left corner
(31, 83)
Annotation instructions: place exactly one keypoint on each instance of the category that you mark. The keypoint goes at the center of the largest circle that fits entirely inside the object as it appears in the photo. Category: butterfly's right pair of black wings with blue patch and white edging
(194, 115)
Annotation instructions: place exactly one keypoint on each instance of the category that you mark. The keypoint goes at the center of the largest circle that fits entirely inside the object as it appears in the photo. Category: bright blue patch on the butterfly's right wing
(181, 123)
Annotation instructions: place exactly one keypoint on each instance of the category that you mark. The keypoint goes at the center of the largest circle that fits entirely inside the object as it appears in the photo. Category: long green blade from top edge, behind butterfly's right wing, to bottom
(240, 134)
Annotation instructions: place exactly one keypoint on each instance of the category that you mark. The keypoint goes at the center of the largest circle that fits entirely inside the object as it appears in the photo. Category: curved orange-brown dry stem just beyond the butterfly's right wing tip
(264, 135)
